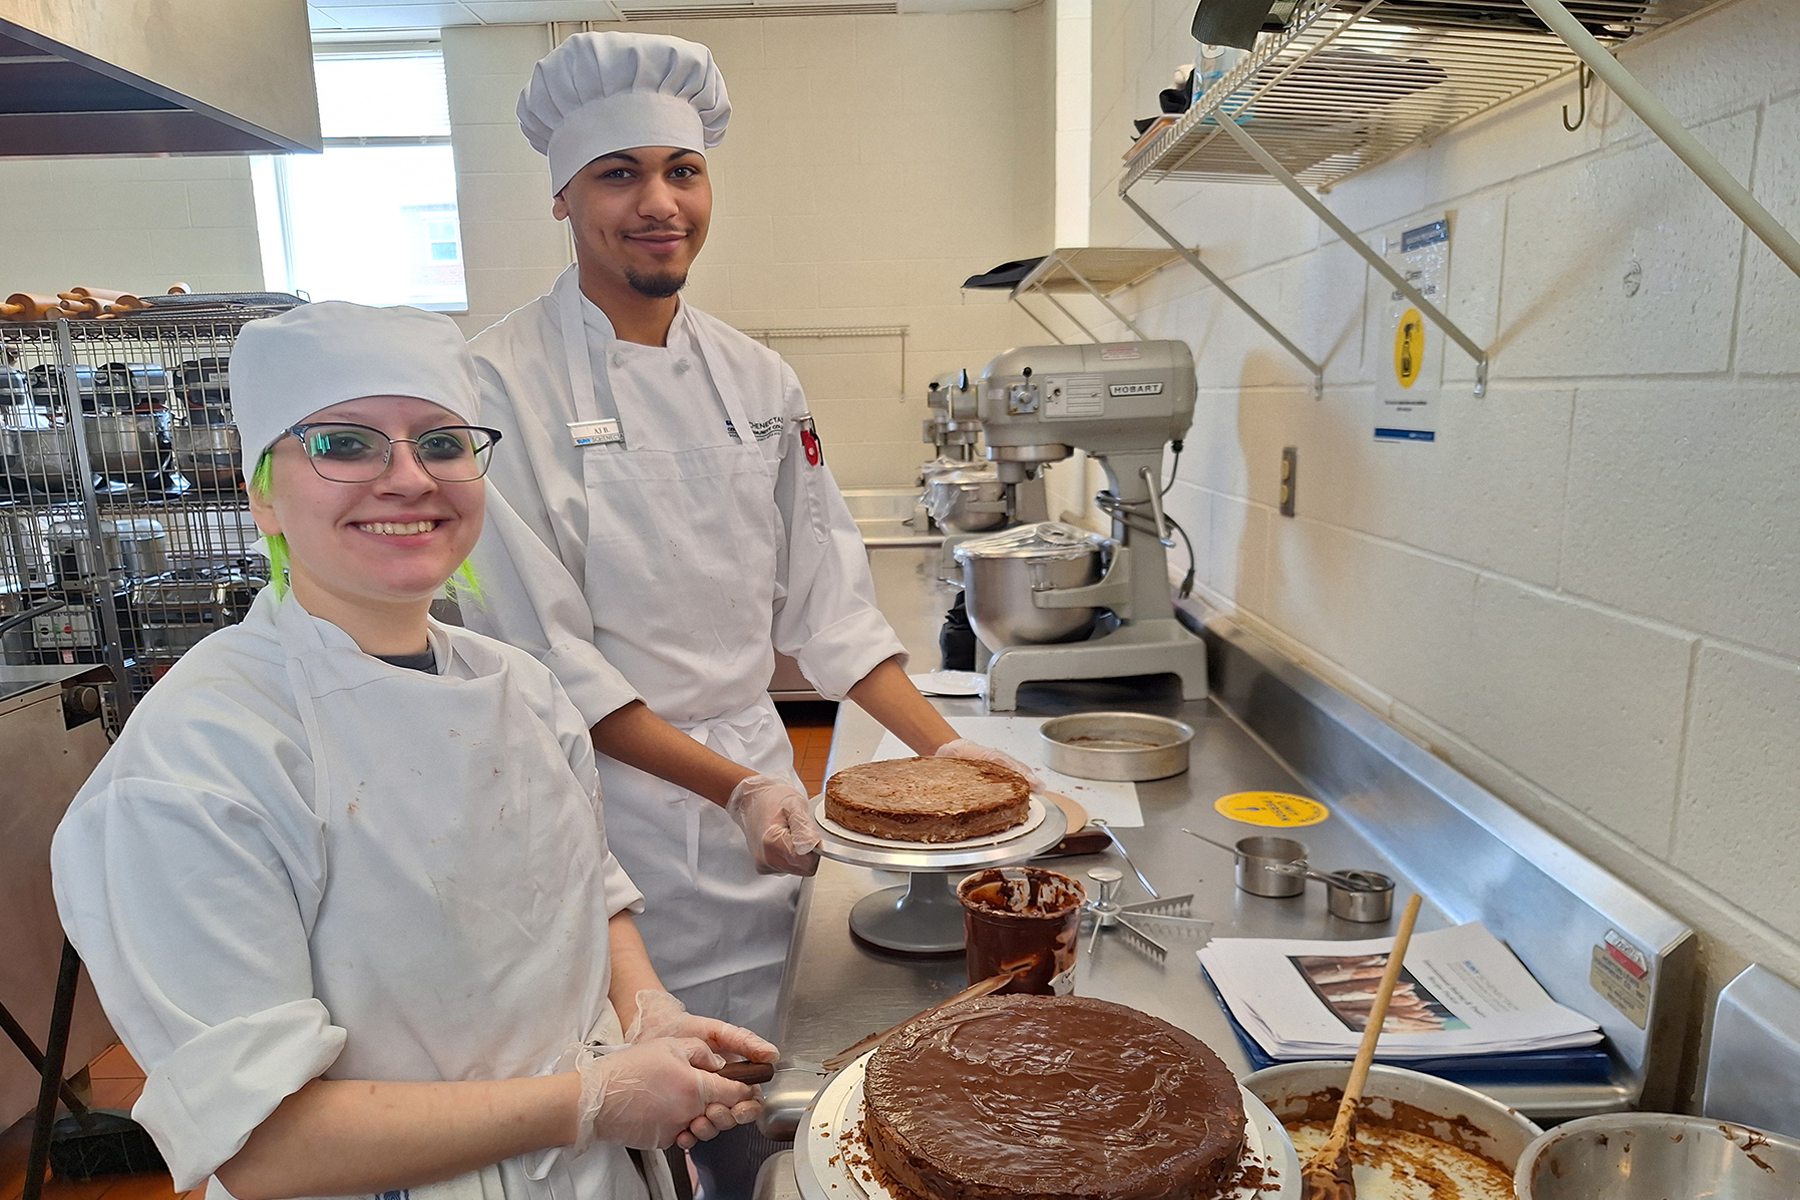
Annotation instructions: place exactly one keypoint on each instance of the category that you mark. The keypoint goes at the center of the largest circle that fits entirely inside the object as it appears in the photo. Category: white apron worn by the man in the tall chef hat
(656, 517)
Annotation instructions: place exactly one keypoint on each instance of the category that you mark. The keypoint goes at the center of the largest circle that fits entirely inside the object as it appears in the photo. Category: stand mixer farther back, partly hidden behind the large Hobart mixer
(967, 501)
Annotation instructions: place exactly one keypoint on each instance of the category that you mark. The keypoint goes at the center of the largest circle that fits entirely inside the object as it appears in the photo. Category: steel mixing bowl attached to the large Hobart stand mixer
(1002, 571)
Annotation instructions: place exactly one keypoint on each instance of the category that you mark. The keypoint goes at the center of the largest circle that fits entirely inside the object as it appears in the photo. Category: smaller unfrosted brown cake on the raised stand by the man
(928, 800)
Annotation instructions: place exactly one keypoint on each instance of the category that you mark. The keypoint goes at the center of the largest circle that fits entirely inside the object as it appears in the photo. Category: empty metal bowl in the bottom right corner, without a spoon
(1655, 1156)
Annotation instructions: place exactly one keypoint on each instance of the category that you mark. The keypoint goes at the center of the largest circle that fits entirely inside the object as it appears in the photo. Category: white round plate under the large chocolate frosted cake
(831, 1143)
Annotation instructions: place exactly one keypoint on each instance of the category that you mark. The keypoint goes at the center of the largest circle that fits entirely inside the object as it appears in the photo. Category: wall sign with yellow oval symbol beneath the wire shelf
(1410, 382)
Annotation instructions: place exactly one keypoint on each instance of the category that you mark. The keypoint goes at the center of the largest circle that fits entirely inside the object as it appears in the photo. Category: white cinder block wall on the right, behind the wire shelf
(1587, 595)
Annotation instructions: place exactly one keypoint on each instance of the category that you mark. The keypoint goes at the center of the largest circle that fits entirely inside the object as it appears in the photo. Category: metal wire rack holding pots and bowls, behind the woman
(125, 535)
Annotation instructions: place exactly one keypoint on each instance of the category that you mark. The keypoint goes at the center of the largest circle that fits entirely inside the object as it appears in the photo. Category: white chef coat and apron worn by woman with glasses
(300, 861)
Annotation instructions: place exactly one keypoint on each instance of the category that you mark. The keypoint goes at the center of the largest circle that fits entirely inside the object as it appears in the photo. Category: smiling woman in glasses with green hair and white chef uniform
(345, 884)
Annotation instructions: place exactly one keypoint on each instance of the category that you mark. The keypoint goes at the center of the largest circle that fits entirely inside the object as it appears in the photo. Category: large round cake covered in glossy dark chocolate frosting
(1059, 1098)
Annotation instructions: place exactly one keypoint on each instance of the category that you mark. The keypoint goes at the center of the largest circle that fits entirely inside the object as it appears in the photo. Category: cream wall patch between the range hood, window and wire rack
(129, 224)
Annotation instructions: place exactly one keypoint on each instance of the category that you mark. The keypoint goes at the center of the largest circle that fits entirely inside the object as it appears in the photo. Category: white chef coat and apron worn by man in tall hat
(703, 544)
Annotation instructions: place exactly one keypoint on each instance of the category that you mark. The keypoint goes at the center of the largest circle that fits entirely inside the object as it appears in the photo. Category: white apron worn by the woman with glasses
(505, 863)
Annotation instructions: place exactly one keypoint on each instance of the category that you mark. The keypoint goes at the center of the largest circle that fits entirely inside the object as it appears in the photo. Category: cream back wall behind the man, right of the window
(874, 163)
